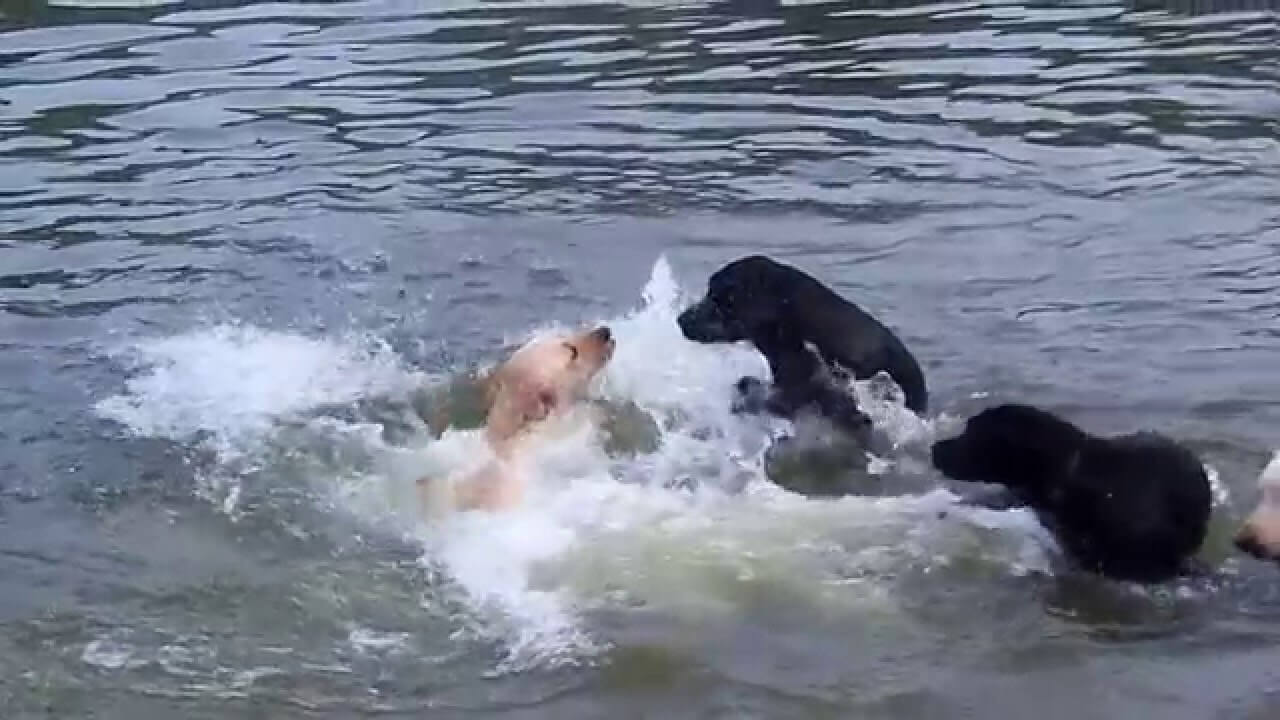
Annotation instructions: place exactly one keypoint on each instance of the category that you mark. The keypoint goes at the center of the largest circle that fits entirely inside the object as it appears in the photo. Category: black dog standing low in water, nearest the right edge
(1132, 508)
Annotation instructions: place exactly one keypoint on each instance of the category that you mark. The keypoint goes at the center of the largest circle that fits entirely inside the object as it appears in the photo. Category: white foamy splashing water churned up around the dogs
(684, 528)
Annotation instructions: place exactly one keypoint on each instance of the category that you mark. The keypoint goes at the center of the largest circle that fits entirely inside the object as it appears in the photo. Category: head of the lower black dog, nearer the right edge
(1013, 445)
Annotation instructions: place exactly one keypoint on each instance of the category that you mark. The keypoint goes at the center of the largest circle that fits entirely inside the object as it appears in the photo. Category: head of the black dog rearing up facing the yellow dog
(746, 300)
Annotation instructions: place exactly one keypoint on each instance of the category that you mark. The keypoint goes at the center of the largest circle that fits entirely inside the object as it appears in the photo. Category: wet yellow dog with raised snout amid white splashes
(545, 379)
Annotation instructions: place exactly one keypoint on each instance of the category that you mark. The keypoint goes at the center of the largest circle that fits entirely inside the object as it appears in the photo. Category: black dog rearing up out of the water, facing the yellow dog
(808, 334)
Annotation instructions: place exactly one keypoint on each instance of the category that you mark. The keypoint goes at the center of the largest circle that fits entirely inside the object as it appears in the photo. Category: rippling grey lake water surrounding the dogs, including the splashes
(239, 239)
